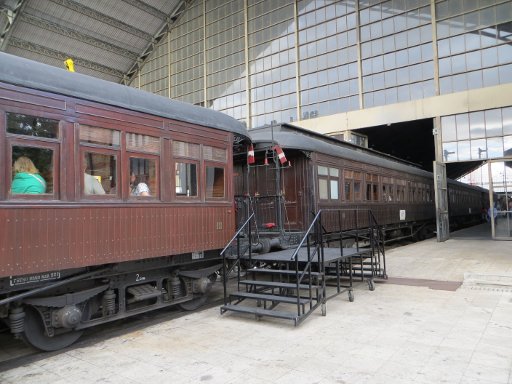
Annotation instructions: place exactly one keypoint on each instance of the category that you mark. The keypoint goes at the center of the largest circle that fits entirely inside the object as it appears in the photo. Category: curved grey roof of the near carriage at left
(31, 74)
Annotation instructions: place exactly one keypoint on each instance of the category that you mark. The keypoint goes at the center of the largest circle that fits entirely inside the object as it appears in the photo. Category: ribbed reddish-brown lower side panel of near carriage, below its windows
(43, 239)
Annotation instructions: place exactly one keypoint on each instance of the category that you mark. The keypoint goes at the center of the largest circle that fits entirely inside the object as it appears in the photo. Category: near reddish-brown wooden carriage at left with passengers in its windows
(90, 249)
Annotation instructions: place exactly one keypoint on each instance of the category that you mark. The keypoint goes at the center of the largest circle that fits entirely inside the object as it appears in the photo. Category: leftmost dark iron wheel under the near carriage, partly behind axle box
(34, 333)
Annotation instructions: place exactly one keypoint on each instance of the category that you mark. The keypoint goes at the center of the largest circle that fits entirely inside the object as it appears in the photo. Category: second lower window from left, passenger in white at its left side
(99, 174)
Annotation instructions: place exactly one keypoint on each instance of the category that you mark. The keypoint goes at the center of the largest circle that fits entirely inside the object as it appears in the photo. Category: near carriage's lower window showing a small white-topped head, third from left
(143, 177)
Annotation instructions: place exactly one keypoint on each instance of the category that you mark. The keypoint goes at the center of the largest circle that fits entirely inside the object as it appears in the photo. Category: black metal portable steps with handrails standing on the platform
(292, 283)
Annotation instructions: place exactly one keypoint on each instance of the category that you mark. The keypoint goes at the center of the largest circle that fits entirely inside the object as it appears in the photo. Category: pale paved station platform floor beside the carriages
(444, 315)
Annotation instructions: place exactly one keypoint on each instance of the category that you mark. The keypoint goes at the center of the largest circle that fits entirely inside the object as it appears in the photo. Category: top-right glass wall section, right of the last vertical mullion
(476, 40)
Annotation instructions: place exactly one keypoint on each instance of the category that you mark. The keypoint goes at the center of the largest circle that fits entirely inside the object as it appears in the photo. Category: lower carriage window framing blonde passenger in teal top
(32, 171)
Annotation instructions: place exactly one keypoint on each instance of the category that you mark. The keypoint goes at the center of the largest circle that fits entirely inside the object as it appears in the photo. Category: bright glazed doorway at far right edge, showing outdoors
(500, 196)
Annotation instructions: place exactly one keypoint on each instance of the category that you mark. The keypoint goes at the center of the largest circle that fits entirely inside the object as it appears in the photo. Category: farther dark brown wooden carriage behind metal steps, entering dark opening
(321, 172)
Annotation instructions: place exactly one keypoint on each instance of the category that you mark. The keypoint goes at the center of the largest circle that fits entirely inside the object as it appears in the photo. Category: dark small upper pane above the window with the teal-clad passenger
(20, 124)
